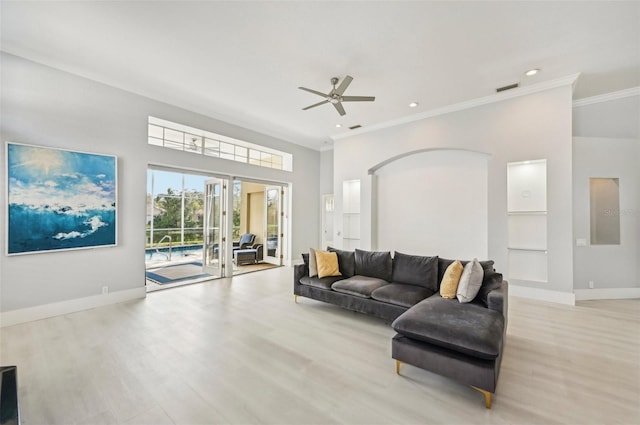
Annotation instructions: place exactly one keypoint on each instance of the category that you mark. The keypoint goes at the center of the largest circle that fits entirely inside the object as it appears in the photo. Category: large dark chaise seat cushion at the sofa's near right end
(466, 328)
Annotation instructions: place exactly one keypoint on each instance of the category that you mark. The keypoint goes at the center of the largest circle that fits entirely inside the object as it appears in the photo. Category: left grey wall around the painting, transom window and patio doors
(44, 106)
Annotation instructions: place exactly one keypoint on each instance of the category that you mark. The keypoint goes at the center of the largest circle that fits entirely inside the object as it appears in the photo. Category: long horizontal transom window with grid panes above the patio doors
(183, 138)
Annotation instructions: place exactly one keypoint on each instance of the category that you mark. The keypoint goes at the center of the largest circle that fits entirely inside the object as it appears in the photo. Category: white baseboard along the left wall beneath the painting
(14, 317)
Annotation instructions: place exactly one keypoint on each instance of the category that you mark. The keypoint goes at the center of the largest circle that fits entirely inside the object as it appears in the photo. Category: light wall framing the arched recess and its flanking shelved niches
(534, 126)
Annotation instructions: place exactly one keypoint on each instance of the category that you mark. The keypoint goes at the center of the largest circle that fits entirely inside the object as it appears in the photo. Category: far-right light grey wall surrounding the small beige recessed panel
(608, 146)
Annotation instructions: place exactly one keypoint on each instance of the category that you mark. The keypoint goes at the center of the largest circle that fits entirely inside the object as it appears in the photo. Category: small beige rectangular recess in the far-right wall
(604, 199)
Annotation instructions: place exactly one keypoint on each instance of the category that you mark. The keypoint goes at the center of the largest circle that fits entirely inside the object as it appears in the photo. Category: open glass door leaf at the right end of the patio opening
(273, 237)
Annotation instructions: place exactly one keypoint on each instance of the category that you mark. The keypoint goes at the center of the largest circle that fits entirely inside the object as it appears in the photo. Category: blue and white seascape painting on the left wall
(59, 199)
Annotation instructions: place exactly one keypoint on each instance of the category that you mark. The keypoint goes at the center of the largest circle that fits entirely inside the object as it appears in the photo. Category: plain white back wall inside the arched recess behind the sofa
(441, 194)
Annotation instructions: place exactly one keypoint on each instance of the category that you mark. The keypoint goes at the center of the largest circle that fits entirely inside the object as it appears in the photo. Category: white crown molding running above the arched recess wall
(474, 103)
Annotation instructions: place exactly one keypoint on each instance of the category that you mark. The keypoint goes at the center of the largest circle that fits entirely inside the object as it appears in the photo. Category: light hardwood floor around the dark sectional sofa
(241, 351)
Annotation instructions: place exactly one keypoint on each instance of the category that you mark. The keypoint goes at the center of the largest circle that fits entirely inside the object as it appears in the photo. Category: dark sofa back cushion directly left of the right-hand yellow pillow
(415, 270)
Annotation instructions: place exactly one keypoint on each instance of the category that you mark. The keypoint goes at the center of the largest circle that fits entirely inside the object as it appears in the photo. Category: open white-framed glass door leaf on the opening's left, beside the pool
(214, 235)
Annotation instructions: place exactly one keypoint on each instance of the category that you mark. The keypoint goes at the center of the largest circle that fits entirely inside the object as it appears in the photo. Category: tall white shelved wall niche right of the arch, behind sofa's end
(527, 220)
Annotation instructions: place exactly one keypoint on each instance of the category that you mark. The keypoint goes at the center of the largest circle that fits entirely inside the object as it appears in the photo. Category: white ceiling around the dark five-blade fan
(242, 61)
